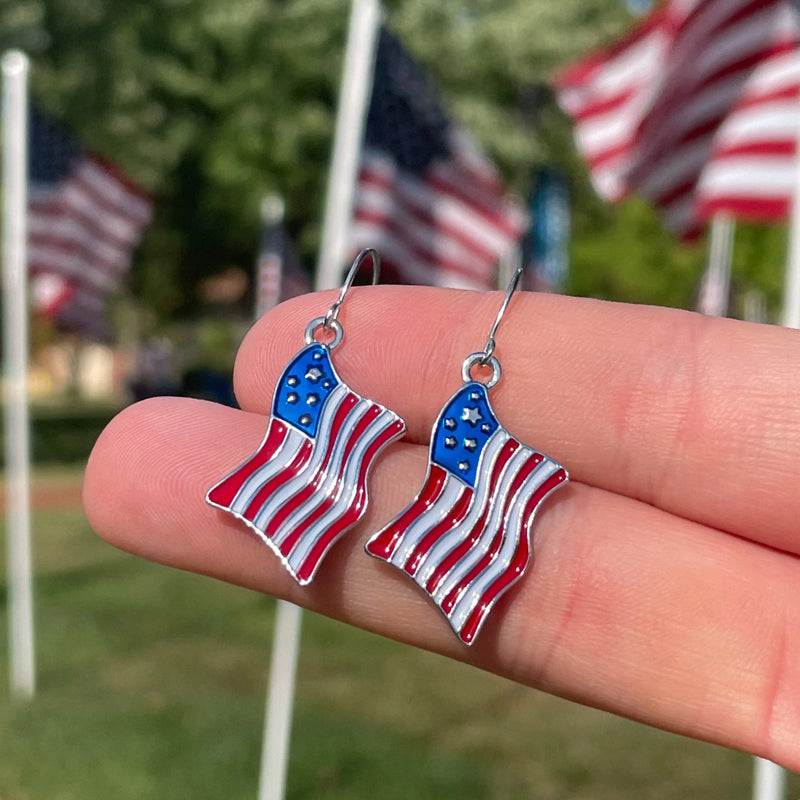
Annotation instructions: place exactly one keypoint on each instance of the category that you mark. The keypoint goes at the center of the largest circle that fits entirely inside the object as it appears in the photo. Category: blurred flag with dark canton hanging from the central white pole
(427, 198)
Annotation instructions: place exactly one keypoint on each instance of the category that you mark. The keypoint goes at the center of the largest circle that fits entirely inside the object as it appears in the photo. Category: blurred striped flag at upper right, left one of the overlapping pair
(647, 111)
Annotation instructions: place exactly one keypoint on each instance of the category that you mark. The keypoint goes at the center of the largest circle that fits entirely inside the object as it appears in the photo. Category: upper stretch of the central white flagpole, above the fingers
(356, 85)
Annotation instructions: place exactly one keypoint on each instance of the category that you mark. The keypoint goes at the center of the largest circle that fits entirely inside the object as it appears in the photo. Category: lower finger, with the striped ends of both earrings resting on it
(625, 607)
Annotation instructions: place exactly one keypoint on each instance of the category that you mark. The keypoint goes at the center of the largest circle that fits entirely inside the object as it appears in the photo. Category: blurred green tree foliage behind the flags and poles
(210, 104)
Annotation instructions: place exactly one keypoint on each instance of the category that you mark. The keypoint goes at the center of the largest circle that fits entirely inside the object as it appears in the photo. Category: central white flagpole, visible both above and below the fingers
(354, 94)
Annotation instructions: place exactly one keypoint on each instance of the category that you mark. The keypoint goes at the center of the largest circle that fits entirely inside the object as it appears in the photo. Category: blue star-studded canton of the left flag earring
(304, 387)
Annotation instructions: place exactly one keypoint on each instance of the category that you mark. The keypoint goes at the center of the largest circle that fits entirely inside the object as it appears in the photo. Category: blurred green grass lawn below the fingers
(152, 684)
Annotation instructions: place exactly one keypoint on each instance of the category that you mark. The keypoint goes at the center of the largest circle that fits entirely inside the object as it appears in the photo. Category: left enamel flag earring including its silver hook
(306, 484)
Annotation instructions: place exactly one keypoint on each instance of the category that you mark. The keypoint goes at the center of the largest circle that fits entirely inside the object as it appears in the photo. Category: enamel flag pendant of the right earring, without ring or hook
(466, 537)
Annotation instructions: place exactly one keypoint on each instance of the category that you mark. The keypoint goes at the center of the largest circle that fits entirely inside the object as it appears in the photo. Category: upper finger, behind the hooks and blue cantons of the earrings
(691, 414)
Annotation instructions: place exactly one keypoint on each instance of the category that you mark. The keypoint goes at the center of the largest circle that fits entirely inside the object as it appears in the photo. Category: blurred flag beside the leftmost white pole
(84, 219)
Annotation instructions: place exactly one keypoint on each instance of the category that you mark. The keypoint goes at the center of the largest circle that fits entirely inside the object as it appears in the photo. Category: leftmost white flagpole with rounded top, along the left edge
(15, 345)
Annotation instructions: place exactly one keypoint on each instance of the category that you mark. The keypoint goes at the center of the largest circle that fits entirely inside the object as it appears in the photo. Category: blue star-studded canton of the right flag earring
(462, 430)
